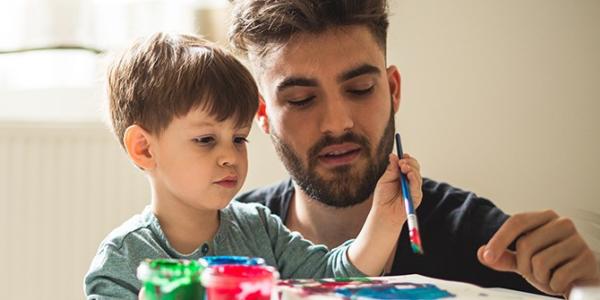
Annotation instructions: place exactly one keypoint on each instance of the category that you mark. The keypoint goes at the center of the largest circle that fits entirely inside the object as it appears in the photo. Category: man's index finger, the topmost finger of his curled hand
(514, 227)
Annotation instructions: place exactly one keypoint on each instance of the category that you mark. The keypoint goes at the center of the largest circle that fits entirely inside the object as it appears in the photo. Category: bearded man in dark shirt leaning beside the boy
(328, 104)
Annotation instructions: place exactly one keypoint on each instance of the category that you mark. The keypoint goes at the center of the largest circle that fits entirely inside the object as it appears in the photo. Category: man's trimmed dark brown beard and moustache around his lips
(348, 187)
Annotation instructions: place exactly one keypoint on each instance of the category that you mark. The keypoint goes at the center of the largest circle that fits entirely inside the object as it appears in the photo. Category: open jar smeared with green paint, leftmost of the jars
(170, 279)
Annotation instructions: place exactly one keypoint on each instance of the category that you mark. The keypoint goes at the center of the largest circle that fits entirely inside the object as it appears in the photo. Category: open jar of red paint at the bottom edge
(226, 282)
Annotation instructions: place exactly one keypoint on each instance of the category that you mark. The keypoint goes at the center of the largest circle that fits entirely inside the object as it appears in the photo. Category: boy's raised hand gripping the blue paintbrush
(388, 192)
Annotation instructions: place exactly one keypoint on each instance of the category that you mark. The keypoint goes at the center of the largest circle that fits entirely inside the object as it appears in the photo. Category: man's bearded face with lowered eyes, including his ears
(330, 103)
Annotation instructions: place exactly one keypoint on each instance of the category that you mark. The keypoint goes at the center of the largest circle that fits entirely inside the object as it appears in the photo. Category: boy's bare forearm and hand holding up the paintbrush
(375, 242)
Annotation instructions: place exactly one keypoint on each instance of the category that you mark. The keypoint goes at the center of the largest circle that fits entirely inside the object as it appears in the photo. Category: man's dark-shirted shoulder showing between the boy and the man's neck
(276, 197)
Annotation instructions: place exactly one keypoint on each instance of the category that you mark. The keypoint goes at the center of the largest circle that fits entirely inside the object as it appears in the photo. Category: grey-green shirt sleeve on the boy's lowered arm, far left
(111, 276)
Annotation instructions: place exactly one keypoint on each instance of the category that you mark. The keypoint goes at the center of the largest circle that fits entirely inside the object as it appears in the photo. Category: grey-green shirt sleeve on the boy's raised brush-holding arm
(299, 258)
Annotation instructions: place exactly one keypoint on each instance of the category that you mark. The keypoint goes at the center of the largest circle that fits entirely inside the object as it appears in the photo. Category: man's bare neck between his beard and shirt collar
(324, 224)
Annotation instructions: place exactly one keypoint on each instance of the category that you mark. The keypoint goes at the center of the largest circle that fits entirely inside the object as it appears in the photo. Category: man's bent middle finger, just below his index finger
(540, 238)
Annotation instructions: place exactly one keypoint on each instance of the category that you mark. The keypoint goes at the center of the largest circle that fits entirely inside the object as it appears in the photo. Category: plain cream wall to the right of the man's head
(502, 98)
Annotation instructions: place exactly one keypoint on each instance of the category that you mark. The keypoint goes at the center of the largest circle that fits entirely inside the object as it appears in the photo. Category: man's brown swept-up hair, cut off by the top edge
(260, 24)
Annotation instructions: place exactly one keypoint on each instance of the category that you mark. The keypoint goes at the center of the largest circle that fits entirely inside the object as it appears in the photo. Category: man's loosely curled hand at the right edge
(550, 253)
